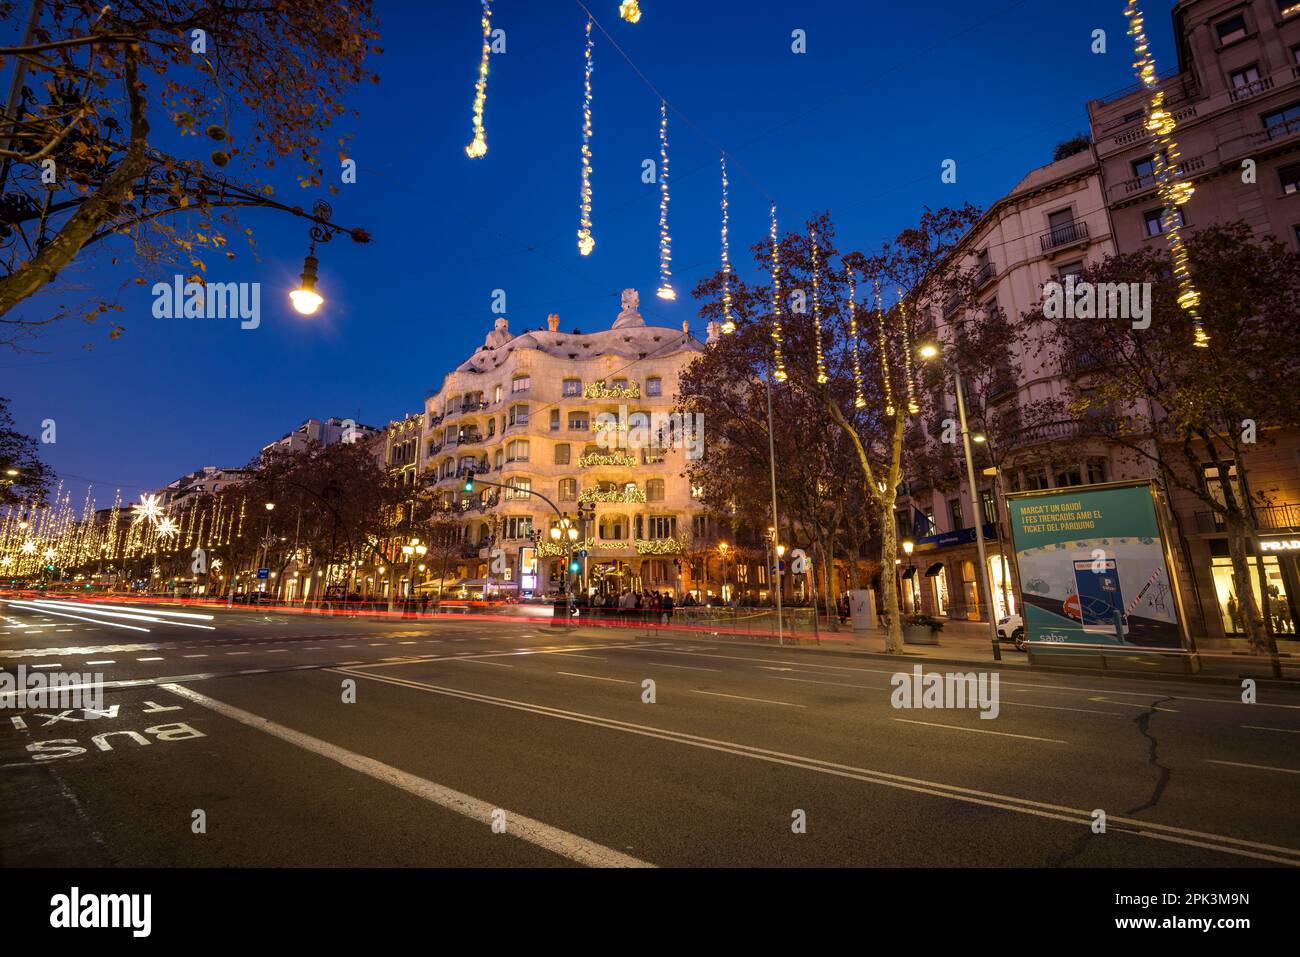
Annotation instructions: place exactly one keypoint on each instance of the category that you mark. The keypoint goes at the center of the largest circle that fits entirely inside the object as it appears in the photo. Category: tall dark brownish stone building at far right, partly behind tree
(1236, 96)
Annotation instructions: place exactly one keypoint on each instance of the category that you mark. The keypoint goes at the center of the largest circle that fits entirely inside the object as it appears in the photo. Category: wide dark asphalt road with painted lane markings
(318, 741)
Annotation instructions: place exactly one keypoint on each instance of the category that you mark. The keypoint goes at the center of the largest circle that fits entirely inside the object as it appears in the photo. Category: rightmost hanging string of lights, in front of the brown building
(1173, 189)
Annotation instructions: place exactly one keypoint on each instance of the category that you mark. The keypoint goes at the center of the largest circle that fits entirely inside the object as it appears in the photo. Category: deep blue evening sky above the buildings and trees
(857, 125)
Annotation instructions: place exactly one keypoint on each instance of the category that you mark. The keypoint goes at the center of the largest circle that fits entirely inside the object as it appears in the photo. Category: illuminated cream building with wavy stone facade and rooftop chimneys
(573, 418)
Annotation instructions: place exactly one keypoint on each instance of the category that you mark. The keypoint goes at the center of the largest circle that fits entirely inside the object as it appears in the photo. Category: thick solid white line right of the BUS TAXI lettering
(569, 846)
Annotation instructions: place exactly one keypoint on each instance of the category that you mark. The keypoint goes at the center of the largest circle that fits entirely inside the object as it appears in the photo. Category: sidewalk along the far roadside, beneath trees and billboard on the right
(970, 644)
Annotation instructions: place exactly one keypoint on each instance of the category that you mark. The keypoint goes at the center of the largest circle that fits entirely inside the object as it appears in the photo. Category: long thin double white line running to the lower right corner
(1225, 845)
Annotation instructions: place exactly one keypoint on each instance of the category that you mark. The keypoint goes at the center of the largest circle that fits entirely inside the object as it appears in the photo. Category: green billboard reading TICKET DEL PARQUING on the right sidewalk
(1094, 568)
